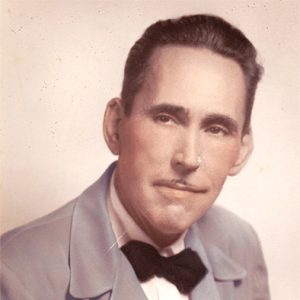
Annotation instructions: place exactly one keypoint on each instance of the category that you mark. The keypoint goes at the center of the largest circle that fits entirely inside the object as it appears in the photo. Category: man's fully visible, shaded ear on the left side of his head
(114, 113)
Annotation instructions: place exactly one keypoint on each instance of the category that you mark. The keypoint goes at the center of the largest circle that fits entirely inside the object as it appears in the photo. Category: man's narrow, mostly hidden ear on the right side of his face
(244, 153)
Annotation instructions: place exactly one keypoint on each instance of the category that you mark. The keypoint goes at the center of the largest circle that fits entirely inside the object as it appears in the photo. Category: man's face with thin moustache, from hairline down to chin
(191, 104)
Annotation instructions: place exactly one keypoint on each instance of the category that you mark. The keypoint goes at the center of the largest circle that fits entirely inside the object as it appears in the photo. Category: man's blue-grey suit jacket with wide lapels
(72, 254)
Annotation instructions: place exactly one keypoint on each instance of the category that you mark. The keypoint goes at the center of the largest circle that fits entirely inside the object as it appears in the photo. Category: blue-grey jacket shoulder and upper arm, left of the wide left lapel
(36, 255)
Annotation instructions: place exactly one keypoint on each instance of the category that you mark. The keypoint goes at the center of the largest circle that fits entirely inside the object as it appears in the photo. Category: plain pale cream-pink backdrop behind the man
(61, 61)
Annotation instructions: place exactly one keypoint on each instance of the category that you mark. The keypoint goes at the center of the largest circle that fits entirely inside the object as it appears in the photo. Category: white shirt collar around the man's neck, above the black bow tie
(126, 229)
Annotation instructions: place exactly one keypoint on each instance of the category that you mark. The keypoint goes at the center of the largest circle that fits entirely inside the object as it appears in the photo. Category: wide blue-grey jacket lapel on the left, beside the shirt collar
(94, 253)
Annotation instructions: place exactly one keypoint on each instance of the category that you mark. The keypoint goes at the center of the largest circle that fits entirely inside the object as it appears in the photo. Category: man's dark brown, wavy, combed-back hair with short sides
(203, 31)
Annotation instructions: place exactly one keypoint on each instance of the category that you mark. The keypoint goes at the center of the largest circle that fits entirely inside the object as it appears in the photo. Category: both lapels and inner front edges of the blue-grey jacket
(93, 249)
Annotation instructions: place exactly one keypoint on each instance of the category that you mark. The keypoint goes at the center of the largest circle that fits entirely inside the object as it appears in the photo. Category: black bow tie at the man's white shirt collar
(184, 269)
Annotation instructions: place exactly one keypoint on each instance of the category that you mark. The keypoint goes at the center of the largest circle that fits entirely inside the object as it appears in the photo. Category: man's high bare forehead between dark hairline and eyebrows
(195, 78)
